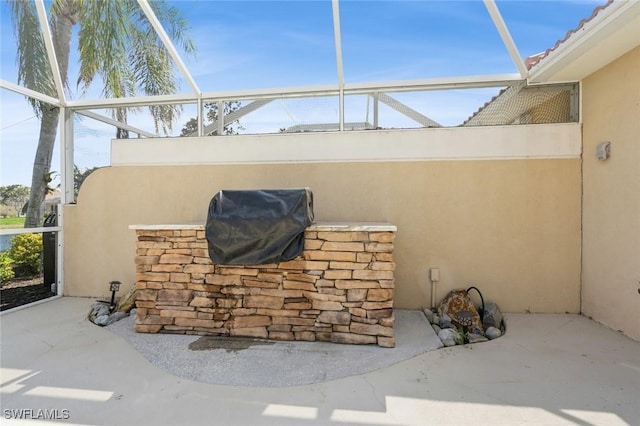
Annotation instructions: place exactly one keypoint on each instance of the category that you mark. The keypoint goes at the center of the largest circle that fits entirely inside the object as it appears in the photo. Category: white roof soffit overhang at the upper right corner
(614, 31)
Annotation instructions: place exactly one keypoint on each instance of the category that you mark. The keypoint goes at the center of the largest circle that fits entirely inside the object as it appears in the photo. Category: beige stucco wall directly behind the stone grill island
(509, 227)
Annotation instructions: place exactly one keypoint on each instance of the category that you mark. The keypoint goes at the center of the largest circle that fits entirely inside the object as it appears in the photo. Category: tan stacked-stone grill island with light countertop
(340, 289)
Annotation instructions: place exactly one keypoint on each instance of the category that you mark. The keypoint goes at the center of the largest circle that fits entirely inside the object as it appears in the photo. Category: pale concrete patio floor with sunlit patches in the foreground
(547, 370)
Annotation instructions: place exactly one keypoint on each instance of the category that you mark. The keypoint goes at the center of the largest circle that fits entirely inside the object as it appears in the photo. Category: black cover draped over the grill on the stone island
(254, 227)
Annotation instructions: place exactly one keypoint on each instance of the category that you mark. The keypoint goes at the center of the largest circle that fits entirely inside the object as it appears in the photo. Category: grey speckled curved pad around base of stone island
(278, 364)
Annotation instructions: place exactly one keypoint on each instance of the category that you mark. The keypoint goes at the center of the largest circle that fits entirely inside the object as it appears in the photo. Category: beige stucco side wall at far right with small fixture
(611, 230)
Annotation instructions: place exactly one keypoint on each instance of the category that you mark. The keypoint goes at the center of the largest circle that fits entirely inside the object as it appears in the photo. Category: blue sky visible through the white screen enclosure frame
(265, 44)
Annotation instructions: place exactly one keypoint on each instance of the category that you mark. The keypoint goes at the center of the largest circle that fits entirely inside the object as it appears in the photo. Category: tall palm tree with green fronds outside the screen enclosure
(116, 43)
